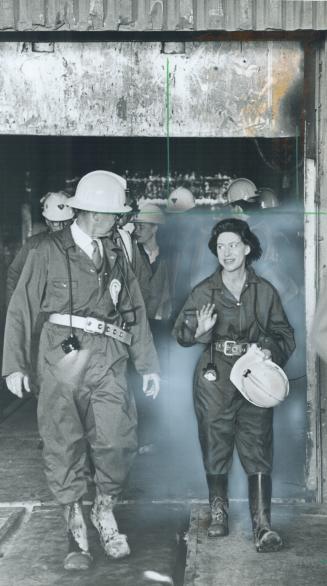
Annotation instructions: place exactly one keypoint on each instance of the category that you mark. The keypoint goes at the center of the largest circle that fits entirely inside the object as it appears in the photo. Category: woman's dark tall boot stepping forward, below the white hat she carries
(265, 539)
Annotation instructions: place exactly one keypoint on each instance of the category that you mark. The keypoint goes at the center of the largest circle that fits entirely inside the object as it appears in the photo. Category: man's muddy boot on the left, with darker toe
(78, 557)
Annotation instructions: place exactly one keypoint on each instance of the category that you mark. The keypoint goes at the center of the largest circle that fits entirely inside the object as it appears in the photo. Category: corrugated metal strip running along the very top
(172, 15)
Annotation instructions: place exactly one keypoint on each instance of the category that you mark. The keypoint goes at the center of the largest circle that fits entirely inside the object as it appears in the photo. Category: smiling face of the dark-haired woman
(231, 251)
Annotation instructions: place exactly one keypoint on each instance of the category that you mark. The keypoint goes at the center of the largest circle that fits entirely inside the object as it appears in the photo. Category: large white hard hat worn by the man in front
(101, 191)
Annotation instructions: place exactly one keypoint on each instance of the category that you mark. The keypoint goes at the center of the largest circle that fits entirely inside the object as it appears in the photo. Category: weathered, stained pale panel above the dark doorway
(120, 89)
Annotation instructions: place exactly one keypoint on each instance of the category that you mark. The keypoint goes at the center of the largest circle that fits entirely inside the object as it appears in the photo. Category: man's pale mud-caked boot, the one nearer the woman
(114, 543)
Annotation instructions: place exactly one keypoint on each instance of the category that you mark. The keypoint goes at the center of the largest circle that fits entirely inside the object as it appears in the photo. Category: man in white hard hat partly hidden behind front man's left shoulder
(57, 214)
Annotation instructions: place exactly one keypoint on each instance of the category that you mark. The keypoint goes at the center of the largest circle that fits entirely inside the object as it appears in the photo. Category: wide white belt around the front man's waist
(91, 325)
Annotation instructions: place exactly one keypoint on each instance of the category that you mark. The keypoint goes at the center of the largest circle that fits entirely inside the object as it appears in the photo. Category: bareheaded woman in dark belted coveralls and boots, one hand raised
(227, 311)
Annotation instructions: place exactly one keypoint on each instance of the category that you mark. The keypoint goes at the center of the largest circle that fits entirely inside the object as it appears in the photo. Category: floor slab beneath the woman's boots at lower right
(233, 560)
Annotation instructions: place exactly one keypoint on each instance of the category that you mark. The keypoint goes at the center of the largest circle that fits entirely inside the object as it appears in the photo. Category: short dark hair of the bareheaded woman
(241, 228)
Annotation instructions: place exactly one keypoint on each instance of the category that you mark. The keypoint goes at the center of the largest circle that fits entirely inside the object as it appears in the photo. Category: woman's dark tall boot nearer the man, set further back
(218, 500)
